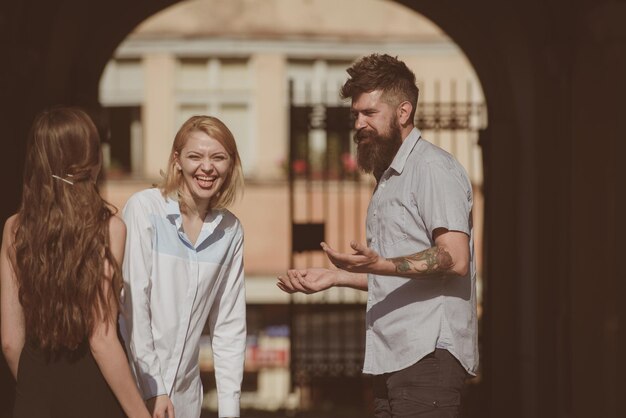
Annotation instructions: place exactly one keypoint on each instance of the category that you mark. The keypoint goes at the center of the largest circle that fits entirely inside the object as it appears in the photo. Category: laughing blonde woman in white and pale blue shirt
(183, 268)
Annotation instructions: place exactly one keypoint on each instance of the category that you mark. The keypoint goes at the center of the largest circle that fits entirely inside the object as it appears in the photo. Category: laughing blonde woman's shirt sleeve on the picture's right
(227, 324)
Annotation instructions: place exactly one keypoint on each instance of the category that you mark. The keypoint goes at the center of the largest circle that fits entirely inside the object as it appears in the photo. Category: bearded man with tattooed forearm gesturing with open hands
(421, 324)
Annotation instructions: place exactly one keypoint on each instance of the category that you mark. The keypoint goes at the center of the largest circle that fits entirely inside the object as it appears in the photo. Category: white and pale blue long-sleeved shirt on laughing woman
(171, 288)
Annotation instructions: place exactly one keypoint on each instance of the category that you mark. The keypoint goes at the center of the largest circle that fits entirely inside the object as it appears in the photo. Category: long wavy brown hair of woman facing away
(62, 238)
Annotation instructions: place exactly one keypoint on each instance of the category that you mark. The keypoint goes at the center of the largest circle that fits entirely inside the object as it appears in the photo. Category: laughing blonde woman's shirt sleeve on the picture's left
(137, 269)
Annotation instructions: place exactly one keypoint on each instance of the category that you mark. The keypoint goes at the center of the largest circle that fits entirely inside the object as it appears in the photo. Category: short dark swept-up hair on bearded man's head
(385, 73)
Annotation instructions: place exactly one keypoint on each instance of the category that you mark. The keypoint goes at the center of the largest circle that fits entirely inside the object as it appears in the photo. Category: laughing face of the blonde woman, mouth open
(205, 165)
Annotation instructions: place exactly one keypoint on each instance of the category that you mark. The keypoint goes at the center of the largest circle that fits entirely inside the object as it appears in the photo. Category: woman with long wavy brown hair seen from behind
(60, 277)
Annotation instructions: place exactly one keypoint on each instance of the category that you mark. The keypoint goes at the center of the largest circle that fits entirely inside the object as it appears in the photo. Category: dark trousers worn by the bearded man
(431, 388)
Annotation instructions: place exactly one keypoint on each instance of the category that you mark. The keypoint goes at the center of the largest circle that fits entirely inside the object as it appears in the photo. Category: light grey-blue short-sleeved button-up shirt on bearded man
(425, 188)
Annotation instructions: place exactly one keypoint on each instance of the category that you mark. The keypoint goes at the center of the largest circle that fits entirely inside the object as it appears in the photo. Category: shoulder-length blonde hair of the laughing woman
(172, 184)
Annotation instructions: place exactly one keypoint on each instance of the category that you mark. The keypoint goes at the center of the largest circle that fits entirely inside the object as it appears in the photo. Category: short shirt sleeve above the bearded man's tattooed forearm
(444, 197)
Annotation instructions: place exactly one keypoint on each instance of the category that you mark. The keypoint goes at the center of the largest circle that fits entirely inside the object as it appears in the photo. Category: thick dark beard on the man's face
(376, 151)
